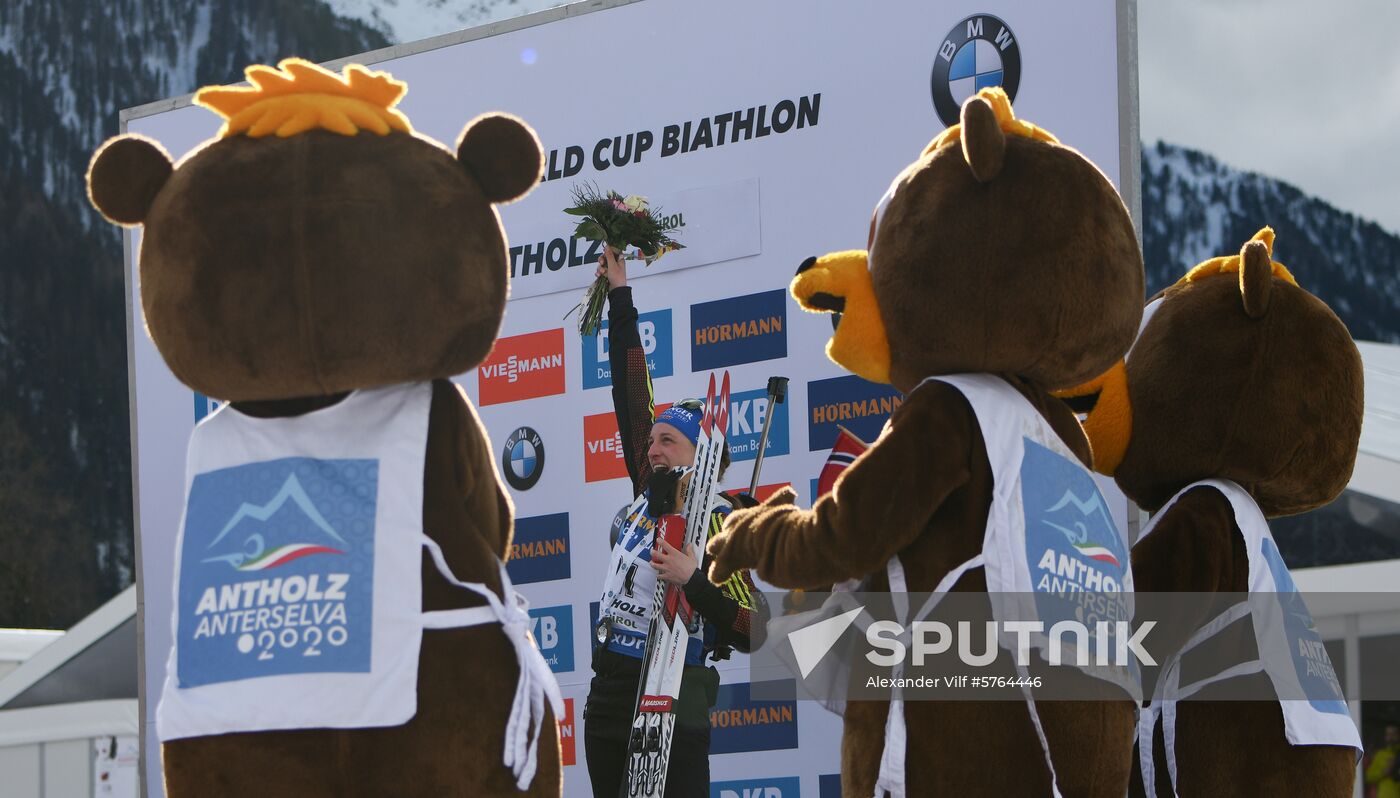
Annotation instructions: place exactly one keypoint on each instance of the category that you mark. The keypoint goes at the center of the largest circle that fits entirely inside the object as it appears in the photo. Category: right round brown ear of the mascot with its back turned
(503, 155)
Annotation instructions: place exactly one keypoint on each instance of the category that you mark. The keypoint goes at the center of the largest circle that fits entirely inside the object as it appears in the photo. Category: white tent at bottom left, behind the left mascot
(69, 712)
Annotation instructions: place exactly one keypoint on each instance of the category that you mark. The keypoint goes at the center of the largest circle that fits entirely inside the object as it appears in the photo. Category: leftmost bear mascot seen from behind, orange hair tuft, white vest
(345, 625)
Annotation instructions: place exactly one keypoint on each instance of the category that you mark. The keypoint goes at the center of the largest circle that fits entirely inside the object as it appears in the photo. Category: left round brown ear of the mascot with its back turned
(125, 177)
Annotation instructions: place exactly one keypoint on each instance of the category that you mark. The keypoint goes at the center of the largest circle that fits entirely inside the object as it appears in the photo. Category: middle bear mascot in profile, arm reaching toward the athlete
(1003, 265)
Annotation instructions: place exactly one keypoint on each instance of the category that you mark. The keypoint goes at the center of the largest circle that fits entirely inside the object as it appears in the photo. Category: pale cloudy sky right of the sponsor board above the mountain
(1301, 90)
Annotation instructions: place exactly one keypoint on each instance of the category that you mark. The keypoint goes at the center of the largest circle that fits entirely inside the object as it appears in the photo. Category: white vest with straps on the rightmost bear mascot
(1284, 635)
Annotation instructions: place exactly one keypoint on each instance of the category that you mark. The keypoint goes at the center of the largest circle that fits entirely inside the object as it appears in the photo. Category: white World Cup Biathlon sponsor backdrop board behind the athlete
(771, 149)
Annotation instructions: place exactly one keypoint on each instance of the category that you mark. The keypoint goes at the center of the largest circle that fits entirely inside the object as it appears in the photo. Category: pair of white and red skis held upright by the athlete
(674, 621)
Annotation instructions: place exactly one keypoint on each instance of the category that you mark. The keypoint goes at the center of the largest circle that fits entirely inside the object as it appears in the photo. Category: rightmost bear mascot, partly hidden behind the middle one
(1241, 401)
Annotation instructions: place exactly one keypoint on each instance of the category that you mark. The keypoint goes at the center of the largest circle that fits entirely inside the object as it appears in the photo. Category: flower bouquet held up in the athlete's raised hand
(622, 223)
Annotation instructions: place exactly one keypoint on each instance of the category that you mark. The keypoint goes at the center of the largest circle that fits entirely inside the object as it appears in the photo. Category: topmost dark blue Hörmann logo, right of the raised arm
(740, 330)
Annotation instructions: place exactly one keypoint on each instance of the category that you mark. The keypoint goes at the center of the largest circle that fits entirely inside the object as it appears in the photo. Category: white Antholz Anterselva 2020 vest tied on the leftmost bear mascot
(299, 579)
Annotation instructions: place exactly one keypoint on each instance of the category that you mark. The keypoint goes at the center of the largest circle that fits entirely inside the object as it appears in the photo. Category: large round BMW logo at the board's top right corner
(978, 54)
